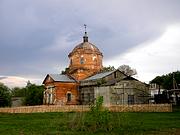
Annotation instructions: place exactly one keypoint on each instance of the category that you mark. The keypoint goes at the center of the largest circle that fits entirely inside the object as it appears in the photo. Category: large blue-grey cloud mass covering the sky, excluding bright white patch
(36, 36)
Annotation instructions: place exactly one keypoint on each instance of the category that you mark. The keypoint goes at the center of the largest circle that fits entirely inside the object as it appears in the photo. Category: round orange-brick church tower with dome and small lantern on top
(85, 60)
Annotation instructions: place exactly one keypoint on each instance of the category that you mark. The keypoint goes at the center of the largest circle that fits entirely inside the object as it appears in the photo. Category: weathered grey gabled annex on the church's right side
(115, 87)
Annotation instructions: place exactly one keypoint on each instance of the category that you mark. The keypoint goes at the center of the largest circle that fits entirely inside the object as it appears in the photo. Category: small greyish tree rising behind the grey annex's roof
(126, 69)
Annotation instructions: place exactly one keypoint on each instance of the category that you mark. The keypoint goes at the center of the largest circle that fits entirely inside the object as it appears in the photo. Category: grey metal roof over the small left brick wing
(61, 78)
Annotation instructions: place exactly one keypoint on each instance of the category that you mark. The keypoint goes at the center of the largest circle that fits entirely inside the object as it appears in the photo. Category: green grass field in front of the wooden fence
(81, 124)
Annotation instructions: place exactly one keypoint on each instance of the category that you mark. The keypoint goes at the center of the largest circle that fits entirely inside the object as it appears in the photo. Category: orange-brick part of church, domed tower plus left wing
(85, 61)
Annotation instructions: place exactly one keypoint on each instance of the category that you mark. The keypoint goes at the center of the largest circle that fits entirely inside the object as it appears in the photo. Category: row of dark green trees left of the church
(31, 94)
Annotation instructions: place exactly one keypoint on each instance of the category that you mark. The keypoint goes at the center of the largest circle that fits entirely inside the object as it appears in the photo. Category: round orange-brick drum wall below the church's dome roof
(92, 64)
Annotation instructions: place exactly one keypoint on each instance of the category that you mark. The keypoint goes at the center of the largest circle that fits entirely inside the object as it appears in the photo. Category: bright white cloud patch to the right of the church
(153, 58)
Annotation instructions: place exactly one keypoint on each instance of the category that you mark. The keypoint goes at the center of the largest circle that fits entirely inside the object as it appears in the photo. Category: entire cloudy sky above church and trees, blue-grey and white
(36, 36)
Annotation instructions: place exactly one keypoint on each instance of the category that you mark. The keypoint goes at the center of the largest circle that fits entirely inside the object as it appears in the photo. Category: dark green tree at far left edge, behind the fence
(5, 96)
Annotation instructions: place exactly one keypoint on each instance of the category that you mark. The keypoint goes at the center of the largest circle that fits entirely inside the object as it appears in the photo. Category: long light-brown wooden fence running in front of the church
(82, 108)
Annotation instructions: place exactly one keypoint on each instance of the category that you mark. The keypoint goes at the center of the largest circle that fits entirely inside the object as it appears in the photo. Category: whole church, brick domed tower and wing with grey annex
(83, 81)
